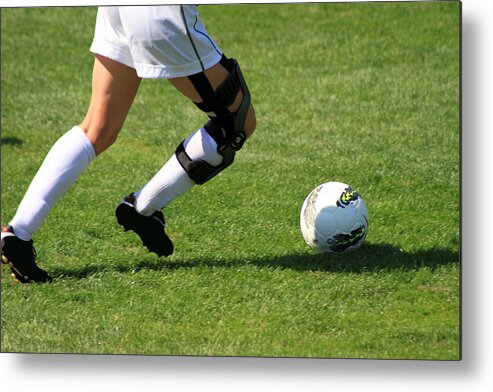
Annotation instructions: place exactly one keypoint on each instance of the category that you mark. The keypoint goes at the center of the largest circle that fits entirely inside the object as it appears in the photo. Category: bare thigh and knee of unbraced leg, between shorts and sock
(114, 87)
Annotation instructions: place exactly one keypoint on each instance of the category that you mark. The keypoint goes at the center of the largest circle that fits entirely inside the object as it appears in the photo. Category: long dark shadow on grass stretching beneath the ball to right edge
(370, 258)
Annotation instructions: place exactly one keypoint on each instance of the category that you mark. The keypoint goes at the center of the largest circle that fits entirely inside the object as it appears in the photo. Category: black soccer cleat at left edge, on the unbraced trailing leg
(20, 256)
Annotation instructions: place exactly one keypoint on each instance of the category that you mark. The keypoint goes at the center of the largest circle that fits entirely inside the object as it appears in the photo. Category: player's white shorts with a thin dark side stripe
(158, 41)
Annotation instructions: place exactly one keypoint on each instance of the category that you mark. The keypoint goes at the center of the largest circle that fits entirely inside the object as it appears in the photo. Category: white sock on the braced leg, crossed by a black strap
(171, 180)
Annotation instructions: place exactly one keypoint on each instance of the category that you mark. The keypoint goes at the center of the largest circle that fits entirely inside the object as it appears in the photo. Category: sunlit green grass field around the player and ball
(363, 93)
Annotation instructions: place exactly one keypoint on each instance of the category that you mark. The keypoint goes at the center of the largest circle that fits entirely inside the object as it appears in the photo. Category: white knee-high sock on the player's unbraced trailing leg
(65, 162)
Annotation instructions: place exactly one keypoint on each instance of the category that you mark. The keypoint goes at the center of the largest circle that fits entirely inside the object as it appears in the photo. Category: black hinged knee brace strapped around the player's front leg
(225, 127)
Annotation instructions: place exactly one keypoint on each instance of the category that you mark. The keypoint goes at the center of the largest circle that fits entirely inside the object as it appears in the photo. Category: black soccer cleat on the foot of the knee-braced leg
(150, 229)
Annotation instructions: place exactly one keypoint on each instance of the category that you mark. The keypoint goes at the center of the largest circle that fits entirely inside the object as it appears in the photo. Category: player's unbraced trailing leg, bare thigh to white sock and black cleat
(113, 90)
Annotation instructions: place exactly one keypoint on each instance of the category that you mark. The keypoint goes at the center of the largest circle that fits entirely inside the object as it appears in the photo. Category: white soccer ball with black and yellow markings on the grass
(334, 218)
